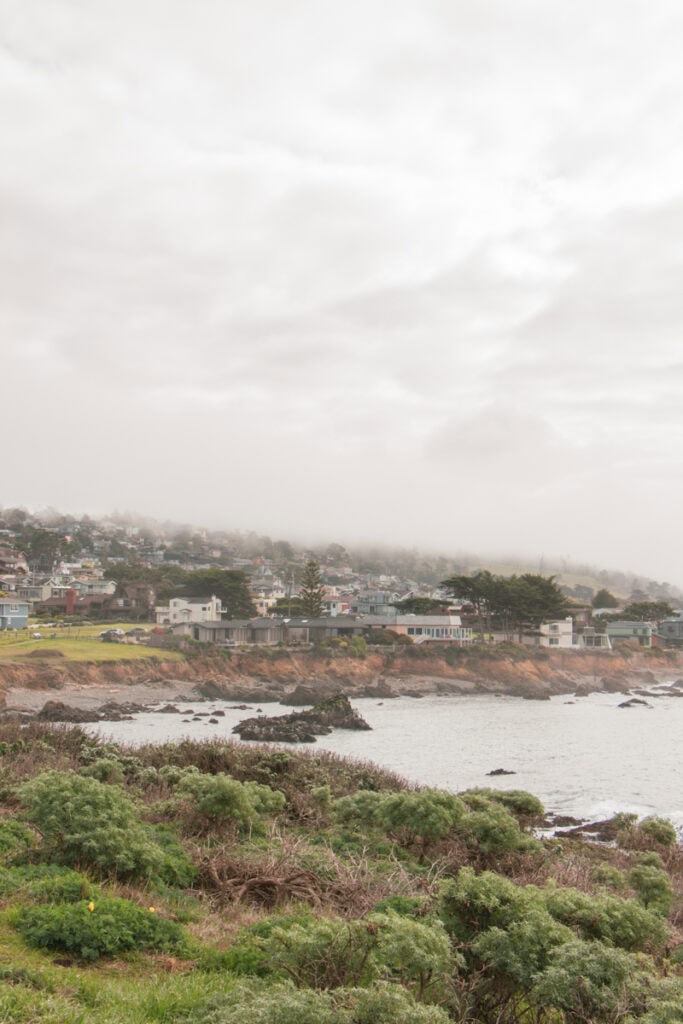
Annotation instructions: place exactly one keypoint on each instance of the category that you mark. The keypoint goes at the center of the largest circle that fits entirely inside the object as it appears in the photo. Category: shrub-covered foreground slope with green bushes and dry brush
(215, 883)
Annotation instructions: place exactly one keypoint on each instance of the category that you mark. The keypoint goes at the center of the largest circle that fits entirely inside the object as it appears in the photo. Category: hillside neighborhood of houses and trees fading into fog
(73, 570)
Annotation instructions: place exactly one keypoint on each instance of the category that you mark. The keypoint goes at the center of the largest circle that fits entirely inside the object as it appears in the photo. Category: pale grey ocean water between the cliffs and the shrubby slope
(581, 756)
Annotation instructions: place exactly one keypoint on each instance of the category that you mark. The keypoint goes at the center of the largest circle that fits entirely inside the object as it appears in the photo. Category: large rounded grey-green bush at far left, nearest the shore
(84, 823)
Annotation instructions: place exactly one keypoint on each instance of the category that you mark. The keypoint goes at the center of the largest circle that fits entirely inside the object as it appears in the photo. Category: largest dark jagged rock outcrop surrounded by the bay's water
(304, 727)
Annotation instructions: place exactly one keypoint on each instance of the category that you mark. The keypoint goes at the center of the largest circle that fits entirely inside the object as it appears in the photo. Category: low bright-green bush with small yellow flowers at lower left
(103, 928)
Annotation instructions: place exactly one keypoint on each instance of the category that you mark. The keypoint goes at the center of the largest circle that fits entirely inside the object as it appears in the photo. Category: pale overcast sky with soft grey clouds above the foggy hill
(407, 272)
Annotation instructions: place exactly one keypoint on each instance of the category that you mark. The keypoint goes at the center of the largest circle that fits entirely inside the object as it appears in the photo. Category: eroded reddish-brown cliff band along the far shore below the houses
(273, 673)
